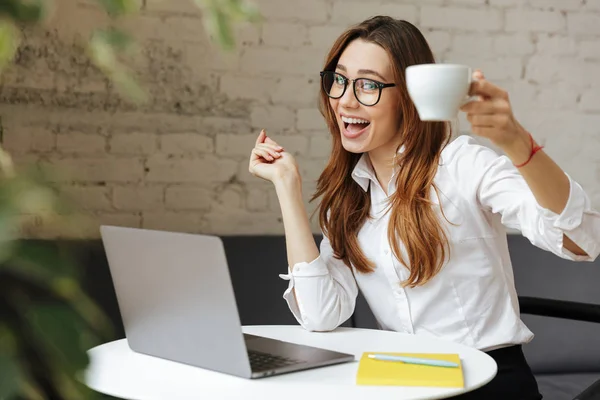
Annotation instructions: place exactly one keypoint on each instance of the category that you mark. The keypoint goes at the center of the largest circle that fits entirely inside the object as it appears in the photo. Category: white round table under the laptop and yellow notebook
(116, 370)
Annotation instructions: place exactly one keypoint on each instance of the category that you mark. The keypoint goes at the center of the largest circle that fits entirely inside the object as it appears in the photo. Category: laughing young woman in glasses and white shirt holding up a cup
(417, 222)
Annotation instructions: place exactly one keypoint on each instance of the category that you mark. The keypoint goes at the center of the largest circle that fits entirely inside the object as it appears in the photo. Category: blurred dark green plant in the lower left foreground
(46, 321)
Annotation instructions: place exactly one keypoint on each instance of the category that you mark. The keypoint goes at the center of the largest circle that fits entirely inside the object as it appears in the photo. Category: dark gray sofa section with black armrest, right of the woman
(565, 353)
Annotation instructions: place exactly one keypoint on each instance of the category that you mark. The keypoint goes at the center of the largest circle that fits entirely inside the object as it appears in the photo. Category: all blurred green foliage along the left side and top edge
(47, 322)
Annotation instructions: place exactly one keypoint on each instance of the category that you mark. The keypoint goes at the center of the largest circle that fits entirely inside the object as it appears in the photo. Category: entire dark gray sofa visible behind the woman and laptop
(564, 355)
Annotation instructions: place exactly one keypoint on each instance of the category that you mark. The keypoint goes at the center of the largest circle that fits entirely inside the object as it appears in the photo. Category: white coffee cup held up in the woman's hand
(438, 90)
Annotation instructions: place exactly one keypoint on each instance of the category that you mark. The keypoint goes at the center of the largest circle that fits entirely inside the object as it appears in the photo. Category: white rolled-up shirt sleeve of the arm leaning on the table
(325, 291)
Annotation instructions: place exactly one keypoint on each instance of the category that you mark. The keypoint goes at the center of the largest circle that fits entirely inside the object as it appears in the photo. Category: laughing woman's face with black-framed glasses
(367, 128)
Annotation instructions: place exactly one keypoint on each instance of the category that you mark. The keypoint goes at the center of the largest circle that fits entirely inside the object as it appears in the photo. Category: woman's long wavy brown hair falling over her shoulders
(345, 205)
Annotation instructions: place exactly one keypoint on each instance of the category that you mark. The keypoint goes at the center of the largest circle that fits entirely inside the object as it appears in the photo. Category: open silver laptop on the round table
(177, 302)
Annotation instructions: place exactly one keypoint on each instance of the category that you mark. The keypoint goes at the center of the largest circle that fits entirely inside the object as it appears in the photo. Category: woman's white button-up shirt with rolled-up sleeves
(472, 300)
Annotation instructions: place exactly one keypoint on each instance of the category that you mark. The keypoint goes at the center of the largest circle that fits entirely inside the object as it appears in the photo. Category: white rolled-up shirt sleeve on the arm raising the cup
(502, 189)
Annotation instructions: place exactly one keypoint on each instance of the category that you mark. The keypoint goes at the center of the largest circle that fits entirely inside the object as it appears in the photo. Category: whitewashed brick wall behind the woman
(180, 162)
